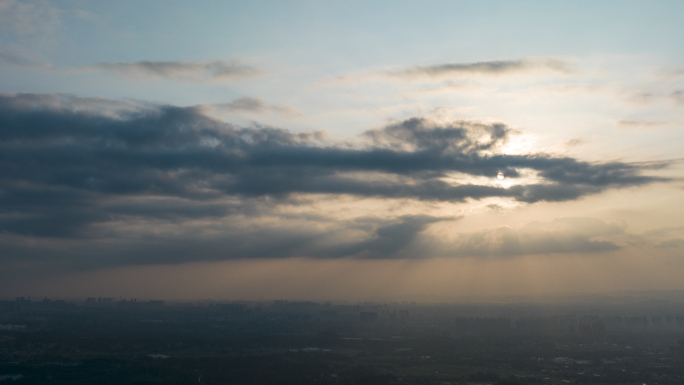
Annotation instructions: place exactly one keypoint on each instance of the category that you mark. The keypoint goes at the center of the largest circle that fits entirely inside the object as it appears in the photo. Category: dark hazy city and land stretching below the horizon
(117, 340)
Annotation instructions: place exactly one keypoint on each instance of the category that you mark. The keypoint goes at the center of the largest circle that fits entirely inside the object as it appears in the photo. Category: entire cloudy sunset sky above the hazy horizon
(383, 150)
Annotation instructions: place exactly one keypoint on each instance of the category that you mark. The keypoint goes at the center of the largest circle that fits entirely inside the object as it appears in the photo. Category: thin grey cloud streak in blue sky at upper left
(180, 70)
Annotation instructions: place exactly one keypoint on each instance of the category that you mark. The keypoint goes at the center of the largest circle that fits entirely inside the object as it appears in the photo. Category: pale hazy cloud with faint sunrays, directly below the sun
(566, 235)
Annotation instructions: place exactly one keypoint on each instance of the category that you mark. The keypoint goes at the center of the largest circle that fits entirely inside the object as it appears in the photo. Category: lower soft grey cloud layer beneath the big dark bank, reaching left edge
(237, 239)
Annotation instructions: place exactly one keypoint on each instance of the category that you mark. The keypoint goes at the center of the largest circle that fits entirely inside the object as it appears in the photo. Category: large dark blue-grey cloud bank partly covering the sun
(171, 150)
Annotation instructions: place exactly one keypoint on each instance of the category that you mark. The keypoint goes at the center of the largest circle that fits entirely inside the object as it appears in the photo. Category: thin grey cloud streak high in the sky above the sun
(496, 67)
